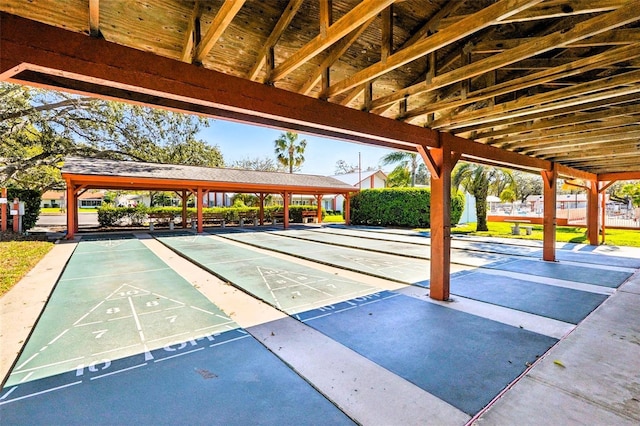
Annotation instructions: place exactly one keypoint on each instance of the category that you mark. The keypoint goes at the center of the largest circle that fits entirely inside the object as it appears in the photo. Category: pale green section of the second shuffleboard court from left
(287, 286)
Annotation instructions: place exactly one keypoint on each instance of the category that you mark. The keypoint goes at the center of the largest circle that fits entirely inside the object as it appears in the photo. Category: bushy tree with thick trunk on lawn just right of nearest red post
(478, 180)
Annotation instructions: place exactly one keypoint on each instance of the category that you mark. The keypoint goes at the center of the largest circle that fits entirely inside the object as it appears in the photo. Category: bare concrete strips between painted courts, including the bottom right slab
(589, 377)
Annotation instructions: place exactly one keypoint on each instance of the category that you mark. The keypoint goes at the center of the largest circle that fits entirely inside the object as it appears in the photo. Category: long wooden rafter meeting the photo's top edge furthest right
(484, 18)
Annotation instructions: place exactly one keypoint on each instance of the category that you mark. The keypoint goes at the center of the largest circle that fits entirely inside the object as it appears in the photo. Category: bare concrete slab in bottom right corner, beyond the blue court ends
(590, 377)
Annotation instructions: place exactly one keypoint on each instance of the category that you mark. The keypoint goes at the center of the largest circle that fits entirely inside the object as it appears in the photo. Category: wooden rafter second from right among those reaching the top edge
(343, 26)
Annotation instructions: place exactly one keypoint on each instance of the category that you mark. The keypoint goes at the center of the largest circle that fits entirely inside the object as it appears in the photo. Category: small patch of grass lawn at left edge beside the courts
(17, 258)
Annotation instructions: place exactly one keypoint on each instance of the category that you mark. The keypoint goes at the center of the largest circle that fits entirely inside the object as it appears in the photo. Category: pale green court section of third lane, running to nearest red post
(392, 267)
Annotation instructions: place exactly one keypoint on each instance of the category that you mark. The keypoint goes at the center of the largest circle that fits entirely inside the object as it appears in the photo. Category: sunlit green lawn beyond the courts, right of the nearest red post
(569, 234)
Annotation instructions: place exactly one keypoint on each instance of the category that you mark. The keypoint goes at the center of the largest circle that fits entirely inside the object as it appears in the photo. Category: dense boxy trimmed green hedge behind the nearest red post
(406, 207)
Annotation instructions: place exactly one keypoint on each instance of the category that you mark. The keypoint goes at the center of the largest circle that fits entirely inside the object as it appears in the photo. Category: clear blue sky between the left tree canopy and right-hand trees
(238, 141)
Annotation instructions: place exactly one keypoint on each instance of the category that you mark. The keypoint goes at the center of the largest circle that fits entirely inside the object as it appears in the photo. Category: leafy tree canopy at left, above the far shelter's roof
(38, 128)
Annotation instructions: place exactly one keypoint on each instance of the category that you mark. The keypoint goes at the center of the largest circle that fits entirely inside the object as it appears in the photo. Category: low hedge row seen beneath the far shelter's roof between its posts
(111, 216)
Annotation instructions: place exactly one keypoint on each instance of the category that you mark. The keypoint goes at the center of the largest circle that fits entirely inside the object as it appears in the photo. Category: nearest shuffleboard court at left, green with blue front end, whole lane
(119, 345)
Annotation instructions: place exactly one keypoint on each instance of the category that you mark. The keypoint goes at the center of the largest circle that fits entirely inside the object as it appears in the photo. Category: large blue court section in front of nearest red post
(480, 357)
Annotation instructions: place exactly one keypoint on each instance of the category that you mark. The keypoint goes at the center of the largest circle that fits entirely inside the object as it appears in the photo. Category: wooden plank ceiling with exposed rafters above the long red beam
(555, 80)
